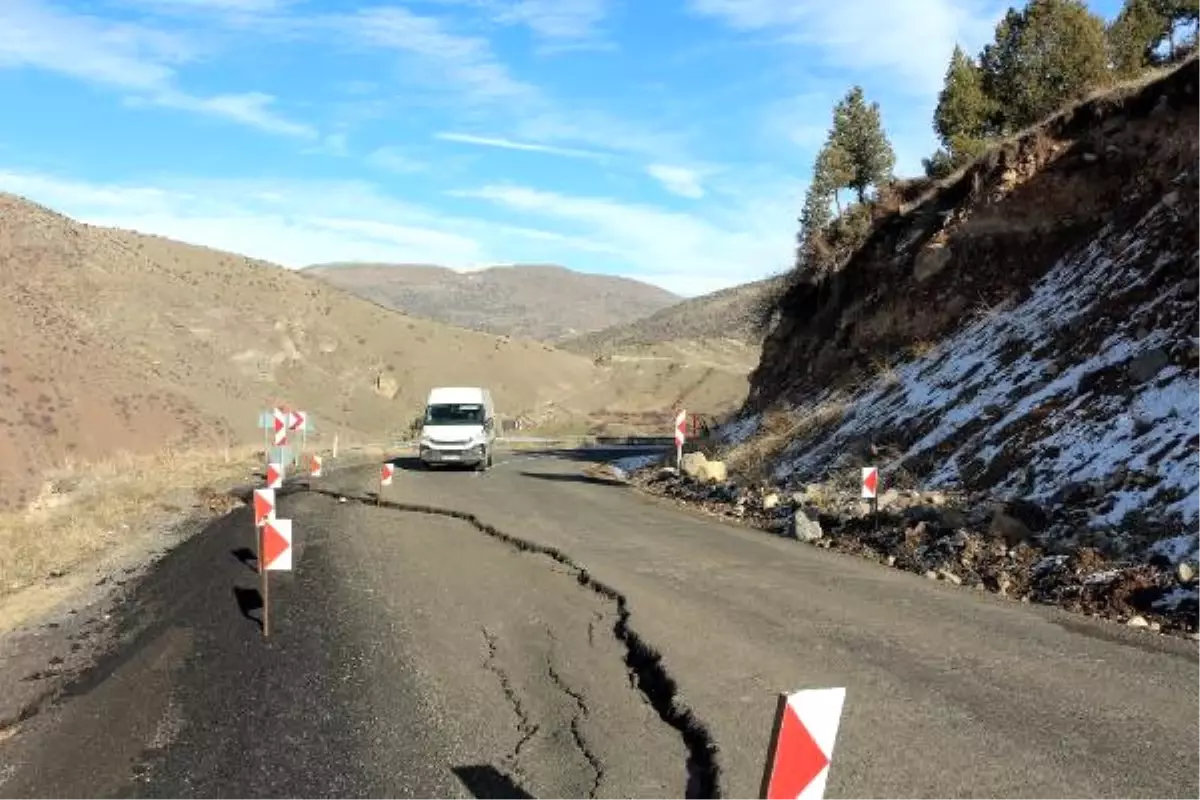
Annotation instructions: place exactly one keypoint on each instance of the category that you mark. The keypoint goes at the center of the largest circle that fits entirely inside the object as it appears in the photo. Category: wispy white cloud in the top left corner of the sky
(139, 61)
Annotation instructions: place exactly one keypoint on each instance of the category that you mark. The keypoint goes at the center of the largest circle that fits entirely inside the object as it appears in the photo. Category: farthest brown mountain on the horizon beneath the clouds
(542, 303)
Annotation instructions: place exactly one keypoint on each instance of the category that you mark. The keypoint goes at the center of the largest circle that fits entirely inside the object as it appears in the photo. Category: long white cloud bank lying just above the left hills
(297, 222)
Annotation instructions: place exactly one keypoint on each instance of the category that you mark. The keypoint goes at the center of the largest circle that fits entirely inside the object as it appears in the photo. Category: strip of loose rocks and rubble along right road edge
(965, 539)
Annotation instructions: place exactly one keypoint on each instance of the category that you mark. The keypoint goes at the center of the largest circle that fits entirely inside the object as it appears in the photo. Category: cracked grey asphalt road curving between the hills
(575, 640)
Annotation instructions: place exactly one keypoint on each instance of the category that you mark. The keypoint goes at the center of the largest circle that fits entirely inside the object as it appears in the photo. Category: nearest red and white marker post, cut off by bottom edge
(802, 745)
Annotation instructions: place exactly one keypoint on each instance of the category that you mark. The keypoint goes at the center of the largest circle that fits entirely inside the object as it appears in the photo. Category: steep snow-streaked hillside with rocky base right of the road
(1018, 351)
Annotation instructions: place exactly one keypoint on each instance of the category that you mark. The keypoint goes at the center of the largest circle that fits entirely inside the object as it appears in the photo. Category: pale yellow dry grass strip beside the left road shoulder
(85, 510)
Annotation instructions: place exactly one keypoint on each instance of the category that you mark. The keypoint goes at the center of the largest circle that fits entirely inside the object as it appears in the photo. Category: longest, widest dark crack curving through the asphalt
(643, 660)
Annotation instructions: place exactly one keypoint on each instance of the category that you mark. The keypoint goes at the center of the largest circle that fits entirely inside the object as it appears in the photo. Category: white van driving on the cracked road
(459, 428)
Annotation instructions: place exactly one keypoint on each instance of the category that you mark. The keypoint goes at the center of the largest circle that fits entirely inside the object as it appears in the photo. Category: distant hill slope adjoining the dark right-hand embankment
(729, 315)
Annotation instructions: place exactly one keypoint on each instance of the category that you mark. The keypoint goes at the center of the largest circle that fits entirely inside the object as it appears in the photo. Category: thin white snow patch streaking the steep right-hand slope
(1030, 384)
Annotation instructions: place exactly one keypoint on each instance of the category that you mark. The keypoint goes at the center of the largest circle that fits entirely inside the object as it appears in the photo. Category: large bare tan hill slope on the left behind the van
(112, 341)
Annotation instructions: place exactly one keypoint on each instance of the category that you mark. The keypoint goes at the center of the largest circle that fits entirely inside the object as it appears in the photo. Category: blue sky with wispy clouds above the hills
(663, 140)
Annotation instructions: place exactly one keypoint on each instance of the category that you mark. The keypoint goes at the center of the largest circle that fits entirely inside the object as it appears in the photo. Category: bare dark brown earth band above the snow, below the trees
(982, 238)
